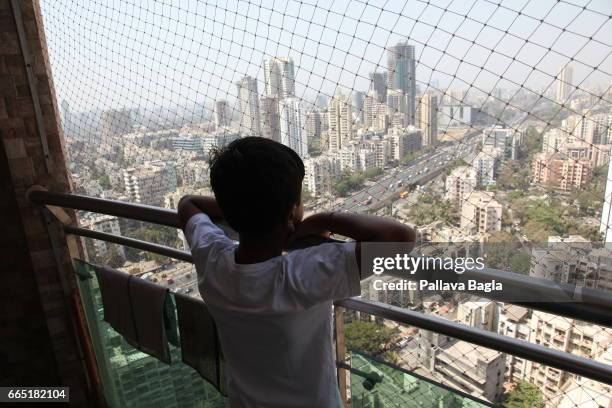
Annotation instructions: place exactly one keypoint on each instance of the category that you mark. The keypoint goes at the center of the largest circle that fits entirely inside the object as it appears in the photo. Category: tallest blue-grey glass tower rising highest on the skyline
(401, 66)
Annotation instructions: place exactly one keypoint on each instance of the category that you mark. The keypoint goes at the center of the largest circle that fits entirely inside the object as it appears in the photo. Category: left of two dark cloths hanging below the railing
(134, 307)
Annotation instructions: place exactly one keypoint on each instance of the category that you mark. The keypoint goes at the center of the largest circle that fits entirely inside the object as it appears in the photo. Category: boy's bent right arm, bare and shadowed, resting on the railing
(359, 227)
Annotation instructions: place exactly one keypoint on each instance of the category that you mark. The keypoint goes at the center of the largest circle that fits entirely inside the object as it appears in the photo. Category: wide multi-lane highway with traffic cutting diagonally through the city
(386, 188)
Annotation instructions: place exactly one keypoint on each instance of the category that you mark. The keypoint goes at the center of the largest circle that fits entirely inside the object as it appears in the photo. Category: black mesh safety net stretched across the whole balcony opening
(475, 121)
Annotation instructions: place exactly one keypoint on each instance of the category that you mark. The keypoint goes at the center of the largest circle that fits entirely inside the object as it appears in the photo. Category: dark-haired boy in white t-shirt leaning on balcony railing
(273, 310)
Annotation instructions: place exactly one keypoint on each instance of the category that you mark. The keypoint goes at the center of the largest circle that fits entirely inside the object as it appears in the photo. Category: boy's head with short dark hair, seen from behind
(258, 185)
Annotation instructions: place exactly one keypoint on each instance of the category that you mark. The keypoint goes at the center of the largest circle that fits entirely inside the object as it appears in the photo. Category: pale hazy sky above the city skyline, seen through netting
(111, 53)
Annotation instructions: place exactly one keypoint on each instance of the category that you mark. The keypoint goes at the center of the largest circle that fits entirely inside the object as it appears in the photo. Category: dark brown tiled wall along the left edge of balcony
(38, 344)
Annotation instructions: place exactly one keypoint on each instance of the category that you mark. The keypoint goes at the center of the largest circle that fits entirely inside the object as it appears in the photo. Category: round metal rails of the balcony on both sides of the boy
(595, 307)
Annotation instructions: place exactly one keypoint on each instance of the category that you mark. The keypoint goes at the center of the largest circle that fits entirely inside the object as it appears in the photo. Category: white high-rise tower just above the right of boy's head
(292, 123)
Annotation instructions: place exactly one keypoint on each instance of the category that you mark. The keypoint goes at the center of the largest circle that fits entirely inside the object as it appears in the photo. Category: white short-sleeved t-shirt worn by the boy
(274, 317)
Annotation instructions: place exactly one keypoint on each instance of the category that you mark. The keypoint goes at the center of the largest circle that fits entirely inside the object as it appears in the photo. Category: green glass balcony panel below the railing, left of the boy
(134, 379)
